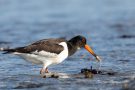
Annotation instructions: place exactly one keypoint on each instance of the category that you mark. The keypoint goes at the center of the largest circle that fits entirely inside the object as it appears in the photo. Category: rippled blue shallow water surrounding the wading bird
(107, 24)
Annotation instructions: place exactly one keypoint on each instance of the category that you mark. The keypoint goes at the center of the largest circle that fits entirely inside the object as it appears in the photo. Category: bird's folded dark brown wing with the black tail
(47, 45)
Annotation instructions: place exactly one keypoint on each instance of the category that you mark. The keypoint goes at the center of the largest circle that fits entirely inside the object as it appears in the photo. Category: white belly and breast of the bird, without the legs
(44, 57)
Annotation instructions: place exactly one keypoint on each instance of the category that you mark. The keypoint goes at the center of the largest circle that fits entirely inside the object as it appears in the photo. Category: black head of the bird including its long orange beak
(81, 42)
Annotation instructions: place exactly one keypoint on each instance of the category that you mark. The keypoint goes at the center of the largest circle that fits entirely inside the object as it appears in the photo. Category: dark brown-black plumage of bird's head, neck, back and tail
(52, 46)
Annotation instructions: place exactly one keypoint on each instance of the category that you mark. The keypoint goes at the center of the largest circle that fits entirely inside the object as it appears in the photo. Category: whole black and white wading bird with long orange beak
(51, 51)
